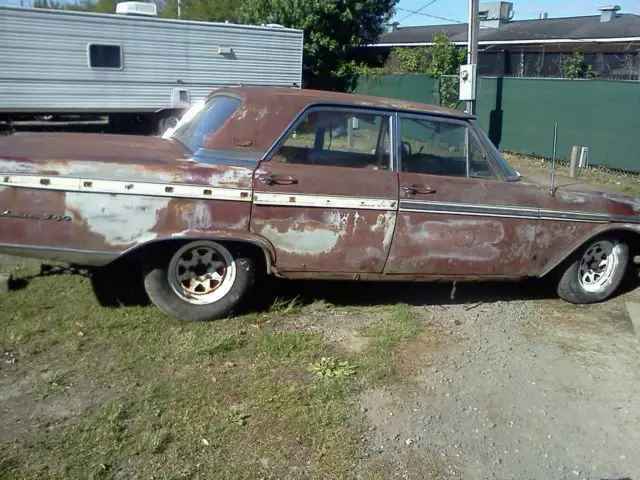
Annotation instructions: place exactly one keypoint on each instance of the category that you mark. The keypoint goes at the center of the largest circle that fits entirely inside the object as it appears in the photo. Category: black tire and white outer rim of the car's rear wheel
(158, 269)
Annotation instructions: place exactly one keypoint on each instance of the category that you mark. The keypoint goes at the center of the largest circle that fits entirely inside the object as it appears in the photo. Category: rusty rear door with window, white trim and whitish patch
(327, 197)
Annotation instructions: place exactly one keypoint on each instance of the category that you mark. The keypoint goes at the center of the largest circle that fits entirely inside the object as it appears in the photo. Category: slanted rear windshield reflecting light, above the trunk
(202, 120)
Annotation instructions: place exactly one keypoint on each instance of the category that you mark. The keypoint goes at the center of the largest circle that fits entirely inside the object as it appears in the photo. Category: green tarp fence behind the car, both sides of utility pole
(520, 113)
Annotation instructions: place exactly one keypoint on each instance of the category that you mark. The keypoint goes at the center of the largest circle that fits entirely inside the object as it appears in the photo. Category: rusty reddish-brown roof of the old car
(310, 97)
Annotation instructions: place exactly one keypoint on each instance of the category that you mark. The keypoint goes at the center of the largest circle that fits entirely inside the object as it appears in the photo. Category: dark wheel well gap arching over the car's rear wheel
(137, 254)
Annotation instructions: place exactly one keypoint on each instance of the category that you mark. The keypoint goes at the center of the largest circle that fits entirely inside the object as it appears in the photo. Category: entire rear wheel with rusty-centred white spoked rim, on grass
(200, 281)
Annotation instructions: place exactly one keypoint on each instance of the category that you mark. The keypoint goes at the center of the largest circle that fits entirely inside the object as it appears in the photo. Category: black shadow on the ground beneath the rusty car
(111, 291)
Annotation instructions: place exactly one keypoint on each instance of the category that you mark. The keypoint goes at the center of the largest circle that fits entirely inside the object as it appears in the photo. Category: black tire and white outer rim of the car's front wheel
(574, 289)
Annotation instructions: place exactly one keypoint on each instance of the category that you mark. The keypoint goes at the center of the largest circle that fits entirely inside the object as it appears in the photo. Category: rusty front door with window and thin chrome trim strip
(458, 215)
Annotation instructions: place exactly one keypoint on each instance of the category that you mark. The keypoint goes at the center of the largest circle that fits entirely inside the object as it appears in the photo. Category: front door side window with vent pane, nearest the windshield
(437, 147)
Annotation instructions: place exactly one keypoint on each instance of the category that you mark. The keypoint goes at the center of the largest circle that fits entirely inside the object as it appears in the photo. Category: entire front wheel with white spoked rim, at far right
(595, 272)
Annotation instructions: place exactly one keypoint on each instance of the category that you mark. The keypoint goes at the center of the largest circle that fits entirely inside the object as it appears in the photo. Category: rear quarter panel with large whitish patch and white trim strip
(98, 212)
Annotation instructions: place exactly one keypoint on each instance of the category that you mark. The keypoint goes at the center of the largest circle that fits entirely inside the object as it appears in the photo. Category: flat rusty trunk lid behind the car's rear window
(37, 147)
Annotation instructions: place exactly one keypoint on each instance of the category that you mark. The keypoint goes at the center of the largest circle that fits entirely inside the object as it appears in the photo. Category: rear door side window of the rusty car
(337, 138)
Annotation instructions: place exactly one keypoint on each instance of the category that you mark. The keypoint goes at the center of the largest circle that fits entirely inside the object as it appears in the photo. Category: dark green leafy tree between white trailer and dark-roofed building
(333, 29)
